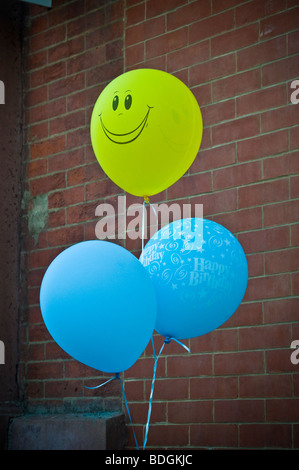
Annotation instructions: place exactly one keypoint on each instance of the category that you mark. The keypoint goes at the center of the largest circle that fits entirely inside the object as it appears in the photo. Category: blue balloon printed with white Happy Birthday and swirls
(200, 274)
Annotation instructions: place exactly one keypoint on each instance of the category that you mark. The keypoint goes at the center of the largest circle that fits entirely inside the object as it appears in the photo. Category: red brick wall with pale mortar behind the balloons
(238, 387)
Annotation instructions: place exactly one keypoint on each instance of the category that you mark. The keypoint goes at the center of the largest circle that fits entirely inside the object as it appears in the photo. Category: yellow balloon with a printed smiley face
(146, 129)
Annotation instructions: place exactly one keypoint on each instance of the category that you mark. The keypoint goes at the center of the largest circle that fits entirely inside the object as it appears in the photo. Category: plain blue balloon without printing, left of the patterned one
(99, 305)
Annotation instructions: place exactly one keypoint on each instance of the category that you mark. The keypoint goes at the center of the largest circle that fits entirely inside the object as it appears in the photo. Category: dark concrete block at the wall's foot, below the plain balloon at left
(68, 432)
